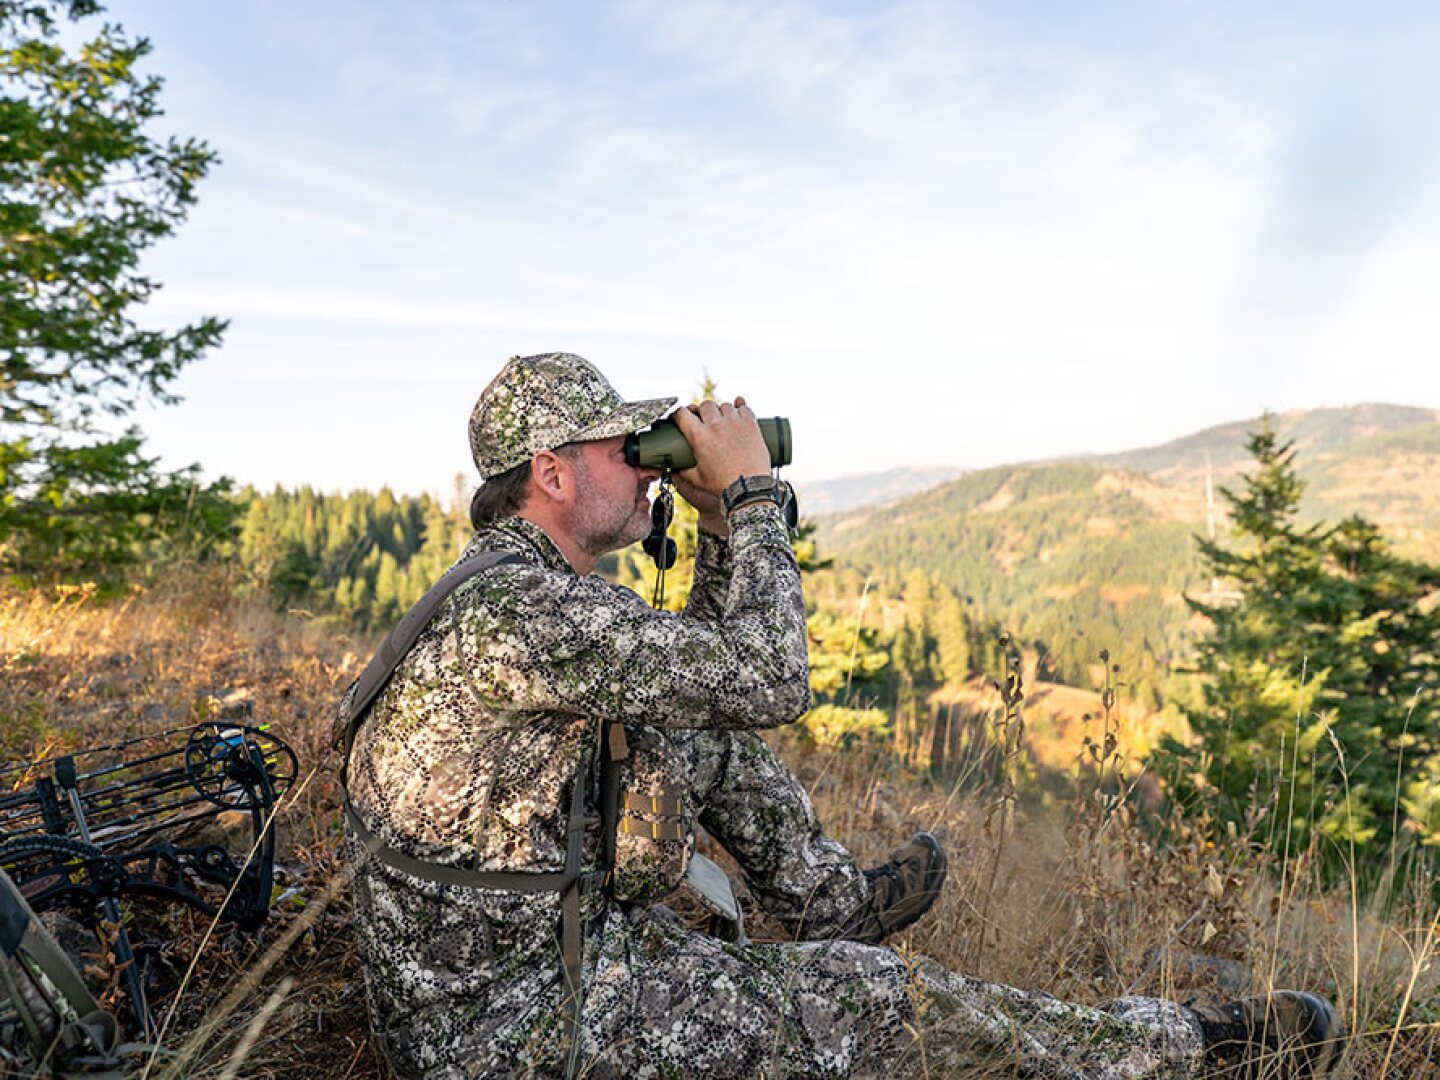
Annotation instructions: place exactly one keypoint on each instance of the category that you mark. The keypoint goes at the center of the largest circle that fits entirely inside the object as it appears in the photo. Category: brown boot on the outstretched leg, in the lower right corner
(1282, 1036)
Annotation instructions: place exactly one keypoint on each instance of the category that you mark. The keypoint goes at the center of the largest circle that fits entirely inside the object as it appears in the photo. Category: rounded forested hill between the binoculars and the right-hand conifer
(1071, 558)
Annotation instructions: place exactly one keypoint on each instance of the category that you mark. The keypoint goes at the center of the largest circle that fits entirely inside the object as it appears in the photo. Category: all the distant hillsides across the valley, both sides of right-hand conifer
(1075, 557)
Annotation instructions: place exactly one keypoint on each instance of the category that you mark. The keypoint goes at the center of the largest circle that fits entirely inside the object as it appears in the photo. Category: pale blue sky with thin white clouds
(931, 234)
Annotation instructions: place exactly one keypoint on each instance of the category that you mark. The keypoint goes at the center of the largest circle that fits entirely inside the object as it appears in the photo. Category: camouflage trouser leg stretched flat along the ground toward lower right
(666, 1002)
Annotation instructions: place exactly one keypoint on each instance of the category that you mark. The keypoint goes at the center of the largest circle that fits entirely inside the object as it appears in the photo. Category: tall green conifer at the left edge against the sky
(87, 189)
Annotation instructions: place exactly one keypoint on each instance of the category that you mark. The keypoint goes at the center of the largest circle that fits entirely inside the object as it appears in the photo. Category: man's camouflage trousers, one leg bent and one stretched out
(665, 1002)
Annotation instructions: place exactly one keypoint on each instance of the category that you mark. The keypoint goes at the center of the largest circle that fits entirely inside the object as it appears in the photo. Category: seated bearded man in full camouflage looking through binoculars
(528, 786)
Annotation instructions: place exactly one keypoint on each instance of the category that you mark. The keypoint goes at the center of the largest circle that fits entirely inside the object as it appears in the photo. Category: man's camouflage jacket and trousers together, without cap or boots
(470, 758)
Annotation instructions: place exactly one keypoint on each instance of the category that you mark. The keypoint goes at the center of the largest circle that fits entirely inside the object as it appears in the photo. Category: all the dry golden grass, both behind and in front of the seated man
(1088, 905)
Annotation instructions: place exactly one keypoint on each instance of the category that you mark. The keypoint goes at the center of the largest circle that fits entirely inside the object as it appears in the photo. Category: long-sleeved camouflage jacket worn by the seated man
(470, 755)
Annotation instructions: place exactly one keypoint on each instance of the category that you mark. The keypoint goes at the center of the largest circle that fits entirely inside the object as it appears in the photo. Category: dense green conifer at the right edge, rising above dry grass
(1323, 654)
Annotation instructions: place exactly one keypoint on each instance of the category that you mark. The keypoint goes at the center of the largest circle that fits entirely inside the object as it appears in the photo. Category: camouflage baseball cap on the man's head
(542, 402)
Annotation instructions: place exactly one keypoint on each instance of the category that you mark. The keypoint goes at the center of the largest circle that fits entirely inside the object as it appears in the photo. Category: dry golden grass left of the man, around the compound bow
(76, 672)
